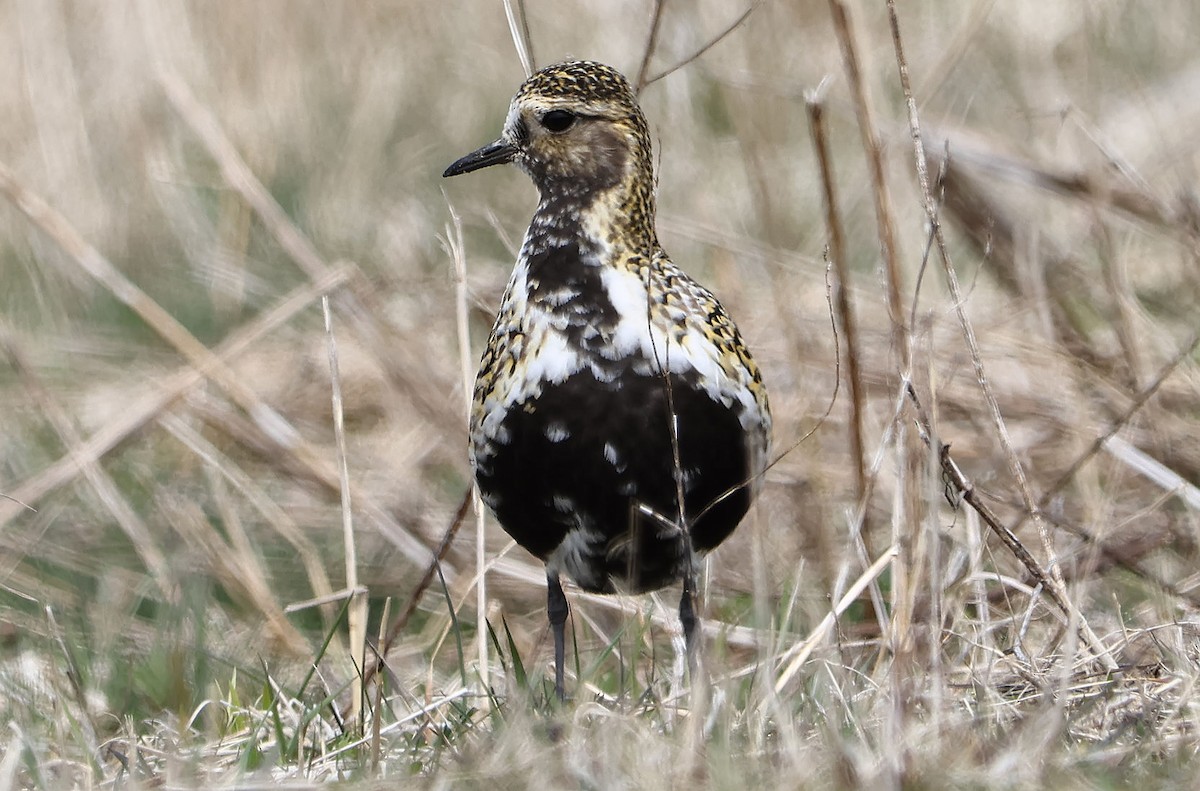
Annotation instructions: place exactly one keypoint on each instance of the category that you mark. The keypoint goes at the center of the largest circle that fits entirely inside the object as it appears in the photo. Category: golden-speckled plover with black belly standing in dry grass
(620, 426)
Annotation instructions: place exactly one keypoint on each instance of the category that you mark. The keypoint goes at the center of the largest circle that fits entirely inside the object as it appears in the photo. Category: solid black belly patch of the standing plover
(556, 476)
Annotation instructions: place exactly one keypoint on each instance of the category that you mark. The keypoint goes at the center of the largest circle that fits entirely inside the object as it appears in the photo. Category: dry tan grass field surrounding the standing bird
(184, 185)
